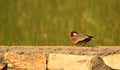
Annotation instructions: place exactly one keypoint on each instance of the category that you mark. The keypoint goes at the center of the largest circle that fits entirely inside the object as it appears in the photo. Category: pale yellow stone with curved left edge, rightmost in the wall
(112, 60)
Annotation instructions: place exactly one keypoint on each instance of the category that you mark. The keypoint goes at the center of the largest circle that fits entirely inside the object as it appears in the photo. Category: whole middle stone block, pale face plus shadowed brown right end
(75, 62)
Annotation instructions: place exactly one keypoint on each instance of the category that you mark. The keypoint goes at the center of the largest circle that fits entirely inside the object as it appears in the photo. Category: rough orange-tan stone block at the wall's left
(25, 62)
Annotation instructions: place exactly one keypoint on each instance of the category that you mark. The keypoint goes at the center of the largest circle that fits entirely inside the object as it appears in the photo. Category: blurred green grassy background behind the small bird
(49, 22)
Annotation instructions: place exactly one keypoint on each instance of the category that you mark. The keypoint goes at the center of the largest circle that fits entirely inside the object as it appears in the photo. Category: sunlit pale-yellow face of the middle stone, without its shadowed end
(68, 62)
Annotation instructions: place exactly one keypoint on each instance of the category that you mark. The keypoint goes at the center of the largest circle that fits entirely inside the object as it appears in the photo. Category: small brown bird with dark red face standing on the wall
(80, 38)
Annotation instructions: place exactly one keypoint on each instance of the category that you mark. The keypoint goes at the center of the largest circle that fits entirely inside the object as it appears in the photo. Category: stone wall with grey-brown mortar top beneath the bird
(59, 58)
